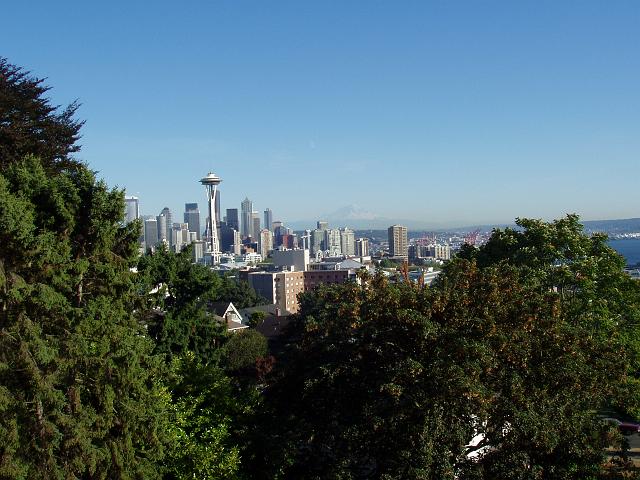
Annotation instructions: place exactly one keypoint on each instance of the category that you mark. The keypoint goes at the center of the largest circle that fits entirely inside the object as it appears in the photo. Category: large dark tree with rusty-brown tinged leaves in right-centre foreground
(394, 381)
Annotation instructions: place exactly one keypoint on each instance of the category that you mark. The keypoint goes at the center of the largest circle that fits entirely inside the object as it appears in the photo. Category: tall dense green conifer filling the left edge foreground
(79, 392)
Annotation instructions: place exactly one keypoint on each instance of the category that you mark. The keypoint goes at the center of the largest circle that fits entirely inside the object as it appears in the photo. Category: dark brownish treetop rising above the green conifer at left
(30, 125)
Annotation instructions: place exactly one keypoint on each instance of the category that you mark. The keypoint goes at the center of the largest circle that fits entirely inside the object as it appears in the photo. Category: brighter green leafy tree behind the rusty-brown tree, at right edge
(586, 273)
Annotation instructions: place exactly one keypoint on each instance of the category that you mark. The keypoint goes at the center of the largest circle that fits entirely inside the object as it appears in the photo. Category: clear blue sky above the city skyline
(440, 111)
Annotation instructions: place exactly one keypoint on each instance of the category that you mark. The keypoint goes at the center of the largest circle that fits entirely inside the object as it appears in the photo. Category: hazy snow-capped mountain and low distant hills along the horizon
(356, 217)
